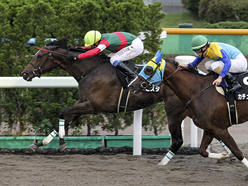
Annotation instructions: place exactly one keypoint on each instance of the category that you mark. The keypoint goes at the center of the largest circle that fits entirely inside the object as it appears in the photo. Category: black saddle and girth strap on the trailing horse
(239, 95)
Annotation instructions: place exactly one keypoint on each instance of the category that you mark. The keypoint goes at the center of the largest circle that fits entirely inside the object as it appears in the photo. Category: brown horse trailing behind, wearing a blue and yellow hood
(208, 108)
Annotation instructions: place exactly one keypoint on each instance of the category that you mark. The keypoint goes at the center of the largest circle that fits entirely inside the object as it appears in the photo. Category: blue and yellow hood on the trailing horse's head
(158, 64)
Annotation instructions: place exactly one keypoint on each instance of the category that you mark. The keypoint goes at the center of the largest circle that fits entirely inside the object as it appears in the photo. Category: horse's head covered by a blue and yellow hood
(151, 74)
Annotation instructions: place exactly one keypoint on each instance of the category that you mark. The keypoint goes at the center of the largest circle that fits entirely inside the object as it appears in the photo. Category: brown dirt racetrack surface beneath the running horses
(121, 169)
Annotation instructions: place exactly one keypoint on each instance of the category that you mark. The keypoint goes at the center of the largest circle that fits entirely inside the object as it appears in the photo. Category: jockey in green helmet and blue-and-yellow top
(224, 59)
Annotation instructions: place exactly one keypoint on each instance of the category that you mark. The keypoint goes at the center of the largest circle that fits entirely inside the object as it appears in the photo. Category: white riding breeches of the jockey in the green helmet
(238, 65)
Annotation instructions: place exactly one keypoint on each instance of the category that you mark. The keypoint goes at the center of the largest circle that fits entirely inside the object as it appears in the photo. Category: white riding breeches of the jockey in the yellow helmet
(129, 52)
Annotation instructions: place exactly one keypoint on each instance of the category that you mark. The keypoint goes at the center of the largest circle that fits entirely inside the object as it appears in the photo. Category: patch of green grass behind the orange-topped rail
(173, 20)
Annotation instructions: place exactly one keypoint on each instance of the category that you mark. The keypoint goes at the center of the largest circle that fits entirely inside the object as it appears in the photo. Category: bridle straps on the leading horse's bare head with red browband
(39, 70)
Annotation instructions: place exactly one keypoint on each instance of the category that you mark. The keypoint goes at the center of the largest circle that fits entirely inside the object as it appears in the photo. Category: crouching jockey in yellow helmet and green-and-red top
(122, 45)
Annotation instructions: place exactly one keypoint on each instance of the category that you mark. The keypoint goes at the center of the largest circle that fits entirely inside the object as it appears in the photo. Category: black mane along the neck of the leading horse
(62, 43)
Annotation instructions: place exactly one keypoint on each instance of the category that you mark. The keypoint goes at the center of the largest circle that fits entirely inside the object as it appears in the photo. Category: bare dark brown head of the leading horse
(43, 61)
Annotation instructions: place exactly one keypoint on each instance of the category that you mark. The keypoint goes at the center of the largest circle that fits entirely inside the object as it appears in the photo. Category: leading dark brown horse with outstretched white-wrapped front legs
(99, 90)
